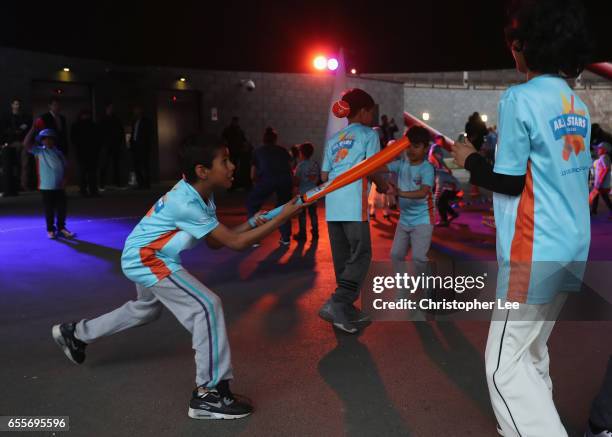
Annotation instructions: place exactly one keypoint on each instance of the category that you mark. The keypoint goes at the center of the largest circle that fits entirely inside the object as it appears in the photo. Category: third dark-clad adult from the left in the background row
(86, 140)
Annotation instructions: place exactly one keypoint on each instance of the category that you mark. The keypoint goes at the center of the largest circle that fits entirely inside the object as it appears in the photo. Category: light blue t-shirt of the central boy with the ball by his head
(343, 150)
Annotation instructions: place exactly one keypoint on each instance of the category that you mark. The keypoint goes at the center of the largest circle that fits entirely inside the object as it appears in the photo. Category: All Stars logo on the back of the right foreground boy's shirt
(572, 125)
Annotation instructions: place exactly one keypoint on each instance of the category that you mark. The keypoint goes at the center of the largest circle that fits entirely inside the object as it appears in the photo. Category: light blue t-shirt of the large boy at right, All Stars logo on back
(544, 133)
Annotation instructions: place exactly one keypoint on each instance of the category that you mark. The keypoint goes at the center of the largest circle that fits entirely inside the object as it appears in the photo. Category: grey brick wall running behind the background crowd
(297, 105)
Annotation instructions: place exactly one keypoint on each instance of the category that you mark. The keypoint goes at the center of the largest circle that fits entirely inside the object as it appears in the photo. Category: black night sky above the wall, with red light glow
(378, 36)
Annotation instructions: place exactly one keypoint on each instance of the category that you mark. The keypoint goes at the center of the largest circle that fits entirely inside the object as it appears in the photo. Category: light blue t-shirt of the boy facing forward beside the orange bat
(412, 178)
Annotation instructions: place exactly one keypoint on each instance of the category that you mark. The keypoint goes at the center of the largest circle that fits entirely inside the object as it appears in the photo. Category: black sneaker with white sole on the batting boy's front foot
(218, 403)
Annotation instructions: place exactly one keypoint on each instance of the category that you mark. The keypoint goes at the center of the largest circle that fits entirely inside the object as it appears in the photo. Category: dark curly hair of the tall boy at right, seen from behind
(552, 34)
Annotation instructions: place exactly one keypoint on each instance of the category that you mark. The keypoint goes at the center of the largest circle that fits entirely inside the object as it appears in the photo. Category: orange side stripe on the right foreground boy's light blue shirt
(521, 251)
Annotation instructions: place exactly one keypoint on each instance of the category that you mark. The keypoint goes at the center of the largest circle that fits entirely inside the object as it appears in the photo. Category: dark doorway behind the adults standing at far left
(74, 97)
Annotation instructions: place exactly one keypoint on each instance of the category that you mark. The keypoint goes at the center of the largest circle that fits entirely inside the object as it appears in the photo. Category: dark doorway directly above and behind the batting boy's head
(178, 117)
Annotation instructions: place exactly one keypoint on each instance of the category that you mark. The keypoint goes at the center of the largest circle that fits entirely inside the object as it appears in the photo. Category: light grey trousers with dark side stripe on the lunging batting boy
(197, 308)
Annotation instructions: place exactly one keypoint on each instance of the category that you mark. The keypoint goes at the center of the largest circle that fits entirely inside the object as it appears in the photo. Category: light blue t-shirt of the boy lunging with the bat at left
(177, 221)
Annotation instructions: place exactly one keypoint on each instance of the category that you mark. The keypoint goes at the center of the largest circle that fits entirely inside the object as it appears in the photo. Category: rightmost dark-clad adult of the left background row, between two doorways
(141, 143)
